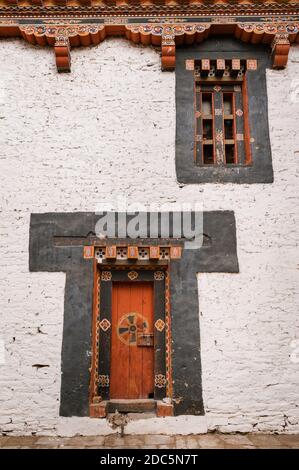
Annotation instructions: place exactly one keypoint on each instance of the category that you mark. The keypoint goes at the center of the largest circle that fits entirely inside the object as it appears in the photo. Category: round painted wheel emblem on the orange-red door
(128, 327)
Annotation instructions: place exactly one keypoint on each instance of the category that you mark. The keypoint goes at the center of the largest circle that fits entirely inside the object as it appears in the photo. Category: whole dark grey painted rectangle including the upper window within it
(222, 133)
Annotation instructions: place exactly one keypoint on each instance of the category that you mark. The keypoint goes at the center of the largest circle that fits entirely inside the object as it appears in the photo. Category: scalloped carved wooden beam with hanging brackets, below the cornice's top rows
(164, 33)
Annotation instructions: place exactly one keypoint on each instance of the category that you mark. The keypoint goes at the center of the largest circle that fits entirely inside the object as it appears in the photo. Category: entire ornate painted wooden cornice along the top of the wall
(64, 24)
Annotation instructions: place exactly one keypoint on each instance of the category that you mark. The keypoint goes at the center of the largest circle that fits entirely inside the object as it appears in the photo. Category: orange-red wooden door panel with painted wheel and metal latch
(132, 364)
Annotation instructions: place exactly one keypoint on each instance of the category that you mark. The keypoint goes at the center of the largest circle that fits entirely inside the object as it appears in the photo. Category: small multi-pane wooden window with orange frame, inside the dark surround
(221, 116)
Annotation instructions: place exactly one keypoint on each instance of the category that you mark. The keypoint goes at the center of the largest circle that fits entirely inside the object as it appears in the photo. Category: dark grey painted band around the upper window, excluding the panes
(257, 166)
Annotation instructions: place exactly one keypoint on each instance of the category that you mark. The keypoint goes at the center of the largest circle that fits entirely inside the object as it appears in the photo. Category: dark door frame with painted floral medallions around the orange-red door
(100, 372)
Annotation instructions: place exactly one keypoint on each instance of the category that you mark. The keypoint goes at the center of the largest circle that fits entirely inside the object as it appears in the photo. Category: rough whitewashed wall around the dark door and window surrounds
(71, 141)
